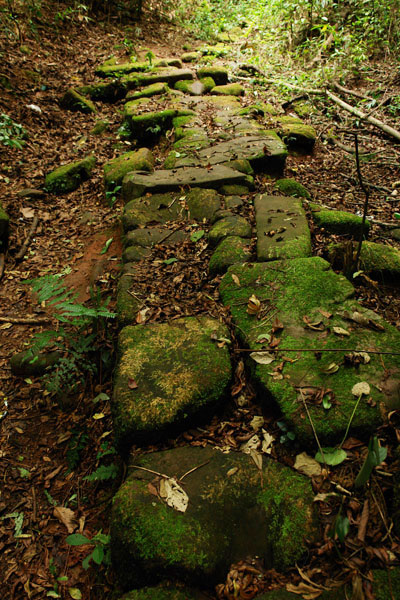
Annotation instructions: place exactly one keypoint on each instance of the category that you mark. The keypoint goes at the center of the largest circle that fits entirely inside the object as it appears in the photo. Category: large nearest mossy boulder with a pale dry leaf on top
(229, 517)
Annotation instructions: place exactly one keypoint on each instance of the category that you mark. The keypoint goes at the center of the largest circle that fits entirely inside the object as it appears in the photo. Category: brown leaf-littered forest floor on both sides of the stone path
(45, 451)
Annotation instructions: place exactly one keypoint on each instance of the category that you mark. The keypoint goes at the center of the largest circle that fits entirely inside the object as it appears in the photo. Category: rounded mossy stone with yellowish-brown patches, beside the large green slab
(181, 375)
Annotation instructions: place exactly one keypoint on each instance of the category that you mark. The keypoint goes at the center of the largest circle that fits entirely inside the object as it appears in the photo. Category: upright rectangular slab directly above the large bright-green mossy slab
(282, 228)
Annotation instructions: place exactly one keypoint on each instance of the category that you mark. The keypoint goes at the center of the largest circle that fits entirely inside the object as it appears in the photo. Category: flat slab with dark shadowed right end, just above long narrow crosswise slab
(264, 153)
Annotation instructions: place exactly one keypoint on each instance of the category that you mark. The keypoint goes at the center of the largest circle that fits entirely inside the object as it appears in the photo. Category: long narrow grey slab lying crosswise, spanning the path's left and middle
(138, 184)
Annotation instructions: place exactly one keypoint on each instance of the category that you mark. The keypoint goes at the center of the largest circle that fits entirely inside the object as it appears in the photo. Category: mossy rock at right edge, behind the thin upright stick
(379, 261)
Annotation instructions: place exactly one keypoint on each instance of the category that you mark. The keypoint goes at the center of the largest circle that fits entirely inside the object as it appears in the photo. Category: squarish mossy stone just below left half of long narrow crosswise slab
(158, 208)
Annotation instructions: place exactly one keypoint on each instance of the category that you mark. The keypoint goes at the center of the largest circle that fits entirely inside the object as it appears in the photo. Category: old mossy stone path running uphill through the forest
(186, 514)
